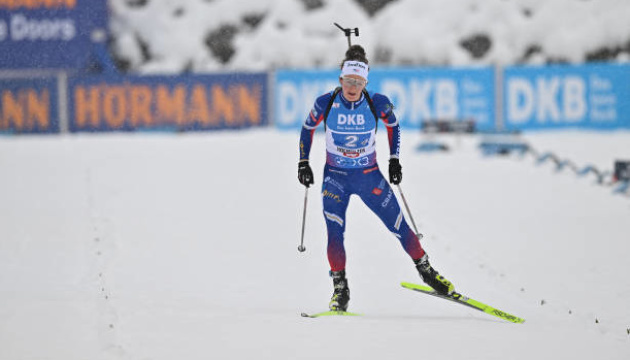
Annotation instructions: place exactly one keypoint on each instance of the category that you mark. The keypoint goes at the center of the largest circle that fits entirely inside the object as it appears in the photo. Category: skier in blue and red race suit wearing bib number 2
(350, 114)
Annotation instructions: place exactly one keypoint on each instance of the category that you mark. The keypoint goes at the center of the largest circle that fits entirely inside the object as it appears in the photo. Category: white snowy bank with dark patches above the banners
(404, 32)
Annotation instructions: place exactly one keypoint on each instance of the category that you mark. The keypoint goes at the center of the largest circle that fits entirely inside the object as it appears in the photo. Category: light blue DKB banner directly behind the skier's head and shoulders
(418, 94)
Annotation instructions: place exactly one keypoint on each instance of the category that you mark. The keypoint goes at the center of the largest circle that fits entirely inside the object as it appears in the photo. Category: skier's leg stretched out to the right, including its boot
(380, 198)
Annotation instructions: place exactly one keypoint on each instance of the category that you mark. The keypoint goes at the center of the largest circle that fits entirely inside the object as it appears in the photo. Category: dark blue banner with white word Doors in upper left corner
(50, 33)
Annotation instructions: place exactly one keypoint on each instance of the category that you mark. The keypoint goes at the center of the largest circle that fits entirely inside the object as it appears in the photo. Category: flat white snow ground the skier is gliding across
(162, 246)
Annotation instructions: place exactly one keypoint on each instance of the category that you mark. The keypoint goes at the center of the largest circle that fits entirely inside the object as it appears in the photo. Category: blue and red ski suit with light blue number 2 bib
(351, 168)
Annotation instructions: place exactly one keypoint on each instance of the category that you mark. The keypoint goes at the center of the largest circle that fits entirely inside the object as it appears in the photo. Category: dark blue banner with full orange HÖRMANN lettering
(176, 103)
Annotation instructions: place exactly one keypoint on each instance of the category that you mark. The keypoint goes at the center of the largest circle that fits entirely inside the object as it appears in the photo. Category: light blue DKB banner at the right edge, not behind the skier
(555, 97)
